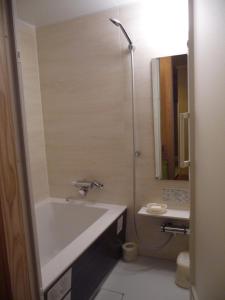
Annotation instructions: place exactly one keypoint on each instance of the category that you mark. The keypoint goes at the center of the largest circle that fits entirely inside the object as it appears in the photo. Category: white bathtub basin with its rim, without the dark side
(66, 229)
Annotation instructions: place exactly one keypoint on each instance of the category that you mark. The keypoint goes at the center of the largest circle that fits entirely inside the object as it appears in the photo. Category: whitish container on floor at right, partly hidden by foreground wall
(183, 270)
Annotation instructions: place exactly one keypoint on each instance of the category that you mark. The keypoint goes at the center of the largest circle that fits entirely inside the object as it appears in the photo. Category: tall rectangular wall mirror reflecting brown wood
(170, 107)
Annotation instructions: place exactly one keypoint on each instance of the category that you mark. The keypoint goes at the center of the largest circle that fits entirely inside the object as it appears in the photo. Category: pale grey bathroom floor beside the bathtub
(145, 279)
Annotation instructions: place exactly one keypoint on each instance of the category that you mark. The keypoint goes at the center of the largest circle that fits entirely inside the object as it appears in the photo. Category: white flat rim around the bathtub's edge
(63, 260)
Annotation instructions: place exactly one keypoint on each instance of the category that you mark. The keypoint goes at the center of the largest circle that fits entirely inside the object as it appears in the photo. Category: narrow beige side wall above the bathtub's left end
(33, 110)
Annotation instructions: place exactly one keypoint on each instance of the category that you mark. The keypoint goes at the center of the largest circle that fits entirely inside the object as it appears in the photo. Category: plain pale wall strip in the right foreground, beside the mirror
(209, 105)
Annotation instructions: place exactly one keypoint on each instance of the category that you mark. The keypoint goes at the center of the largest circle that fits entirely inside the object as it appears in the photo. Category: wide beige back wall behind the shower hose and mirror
(86, 96)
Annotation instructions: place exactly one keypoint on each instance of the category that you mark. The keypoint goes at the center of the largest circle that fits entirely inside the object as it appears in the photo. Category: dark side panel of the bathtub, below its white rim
(90, 269)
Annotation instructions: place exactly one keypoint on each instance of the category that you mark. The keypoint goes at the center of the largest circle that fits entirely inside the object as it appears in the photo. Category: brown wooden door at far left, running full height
(17, 274)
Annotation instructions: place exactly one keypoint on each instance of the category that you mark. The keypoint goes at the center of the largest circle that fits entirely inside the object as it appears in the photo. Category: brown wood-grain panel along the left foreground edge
(12, 226)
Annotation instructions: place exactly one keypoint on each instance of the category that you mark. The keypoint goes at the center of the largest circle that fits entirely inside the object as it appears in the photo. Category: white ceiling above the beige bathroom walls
(43, 12)
